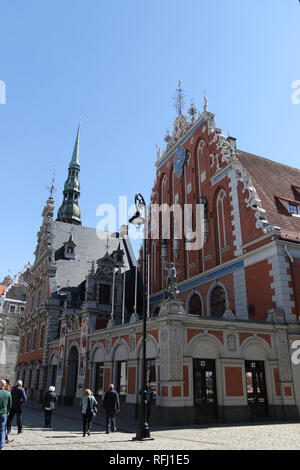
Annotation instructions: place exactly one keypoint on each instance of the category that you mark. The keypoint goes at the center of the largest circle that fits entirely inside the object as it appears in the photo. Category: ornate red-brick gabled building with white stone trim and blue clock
(224, 346)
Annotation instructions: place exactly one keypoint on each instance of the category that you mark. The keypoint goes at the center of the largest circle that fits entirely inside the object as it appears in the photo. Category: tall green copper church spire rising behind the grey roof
(69, 211)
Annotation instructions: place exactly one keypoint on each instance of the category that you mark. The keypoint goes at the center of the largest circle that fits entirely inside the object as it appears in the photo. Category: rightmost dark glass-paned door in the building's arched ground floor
(256, 389)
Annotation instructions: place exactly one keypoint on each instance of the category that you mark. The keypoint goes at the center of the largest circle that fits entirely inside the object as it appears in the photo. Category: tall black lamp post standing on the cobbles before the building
(143, 430)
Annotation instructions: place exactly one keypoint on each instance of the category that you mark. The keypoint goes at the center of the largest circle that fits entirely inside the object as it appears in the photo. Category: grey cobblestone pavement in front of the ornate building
(66, 435)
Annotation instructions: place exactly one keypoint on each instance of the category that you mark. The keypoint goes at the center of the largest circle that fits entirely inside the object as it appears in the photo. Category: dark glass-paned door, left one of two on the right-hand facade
(205, 391)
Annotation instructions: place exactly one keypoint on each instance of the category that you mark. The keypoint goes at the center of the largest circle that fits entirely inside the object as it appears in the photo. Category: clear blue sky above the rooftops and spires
(118, 64)
